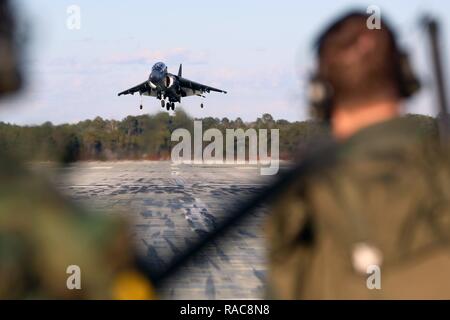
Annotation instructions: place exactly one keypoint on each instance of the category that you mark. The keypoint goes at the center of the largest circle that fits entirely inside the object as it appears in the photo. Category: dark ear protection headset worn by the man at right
(321, 92)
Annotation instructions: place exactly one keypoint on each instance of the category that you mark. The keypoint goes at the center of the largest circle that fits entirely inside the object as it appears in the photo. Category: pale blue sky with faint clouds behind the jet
(260, 51)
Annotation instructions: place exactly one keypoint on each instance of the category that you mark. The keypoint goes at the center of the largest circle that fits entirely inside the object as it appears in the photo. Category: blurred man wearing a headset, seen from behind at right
(374, 221)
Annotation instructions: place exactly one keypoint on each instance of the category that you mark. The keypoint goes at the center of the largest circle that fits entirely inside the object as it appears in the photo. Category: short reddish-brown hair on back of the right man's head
(364, 75)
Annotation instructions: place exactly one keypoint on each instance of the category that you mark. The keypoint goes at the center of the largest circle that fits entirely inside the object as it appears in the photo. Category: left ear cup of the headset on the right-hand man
(320, 96)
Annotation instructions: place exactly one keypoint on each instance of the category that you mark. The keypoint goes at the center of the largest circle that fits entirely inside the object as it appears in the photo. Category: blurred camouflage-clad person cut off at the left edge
(42, 234)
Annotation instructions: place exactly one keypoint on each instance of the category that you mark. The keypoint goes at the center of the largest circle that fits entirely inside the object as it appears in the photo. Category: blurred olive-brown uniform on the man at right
(387, 186)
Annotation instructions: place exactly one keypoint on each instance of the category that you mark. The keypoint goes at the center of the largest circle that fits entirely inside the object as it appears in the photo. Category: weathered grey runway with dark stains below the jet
(168, 207)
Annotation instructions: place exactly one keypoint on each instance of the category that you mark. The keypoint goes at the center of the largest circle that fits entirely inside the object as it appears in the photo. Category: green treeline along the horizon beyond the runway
(141, 137)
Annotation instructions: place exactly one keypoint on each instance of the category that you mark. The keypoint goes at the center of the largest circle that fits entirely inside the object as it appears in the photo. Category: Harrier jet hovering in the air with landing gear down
(164, 85)
